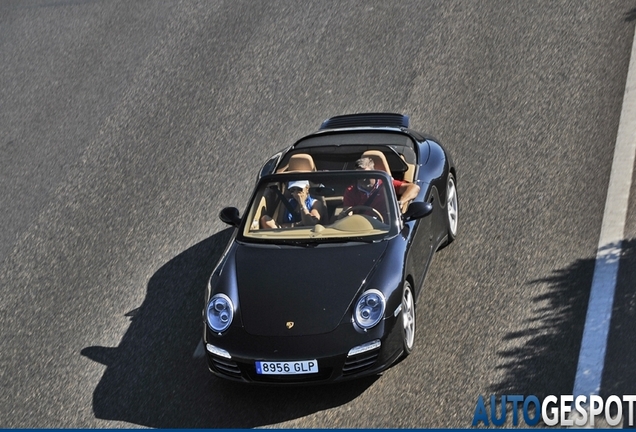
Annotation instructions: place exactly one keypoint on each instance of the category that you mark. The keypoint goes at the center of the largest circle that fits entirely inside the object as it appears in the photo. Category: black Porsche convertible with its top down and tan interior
(328, 292)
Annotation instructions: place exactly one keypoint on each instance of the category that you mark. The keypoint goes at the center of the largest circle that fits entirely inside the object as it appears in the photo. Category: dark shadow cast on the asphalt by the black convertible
(155, 379)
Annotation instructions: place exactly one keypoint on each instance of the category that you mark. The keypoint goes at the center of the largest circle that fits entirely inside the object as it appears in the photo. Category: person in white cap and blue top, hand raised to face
(301, 209)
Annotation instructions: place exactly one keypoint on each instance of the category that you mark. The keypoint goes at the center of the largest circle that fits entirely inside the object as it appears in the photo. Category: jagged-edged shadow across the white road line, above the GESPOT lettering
(546, 362)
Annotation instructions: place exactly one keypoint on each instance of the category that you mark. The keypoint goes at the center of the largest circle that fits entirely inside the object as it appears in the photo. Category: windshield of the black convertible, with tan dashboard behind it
(322, 207)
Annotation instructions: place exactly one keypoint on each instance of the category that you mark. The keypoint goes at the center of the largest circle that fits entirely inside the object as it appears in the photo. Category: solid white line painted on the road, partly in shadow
(599, 310)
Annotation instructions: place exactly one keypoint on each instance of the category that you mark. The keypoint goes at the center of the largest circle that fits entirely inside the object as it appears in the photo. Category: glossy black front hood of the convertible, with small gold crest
(301, 291)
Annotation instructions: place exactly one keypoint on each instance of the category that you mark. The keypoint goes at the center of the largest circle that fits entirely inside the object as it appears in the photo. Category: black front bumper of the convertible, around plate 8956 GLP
(332, 351)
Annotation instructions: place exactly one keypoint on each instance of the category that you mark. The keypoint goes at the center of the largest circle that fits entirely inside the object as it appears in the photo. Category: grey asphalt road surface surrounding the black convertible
(126, 126)
